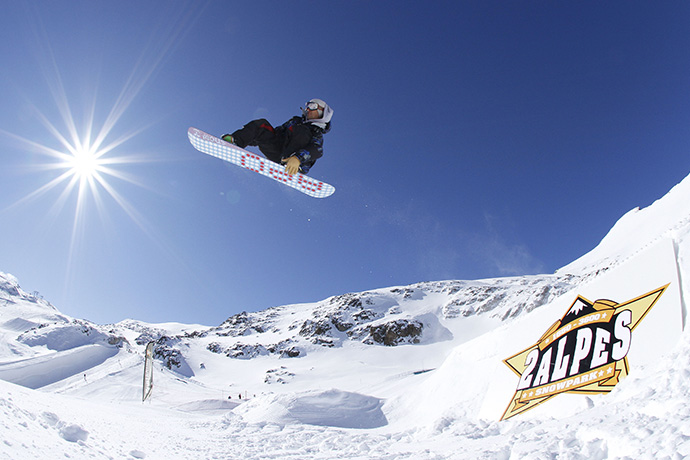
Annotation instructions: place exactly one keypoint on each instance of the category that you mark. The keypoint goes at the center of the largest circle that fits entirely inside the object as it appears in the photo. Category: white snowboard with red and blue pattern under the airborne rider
(219, 148)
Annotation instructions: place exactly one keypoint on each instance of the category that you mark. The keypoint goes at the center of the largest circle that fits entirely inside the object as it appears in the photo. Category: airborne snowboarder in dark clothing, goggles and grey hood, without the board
(297, 143)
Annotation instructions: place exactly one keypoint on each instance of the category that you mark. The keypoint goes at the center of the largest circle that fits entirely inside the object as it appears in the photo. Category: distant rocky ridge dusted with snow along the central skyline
(415, 314)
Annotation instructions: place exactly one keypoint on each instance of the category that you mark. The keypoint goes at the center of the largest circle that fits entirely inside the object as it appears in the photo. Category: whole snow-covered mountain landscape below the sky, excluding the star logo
(403, 372)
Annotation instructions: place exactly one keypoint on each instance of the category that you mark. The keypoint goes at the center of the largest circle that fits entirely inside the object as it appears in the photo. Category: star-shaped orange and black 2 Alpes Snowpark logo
(583, 352)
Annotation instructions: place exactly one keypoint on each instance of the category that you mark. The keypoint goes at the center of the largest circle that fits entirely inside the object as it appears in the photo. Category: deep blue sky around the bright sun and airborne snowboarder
(470, 140)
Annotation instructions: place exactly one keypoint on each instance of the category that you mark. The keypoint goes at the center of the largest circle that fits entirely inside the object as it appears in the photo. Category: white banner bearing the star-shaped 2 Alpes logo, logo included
(584, 343)
